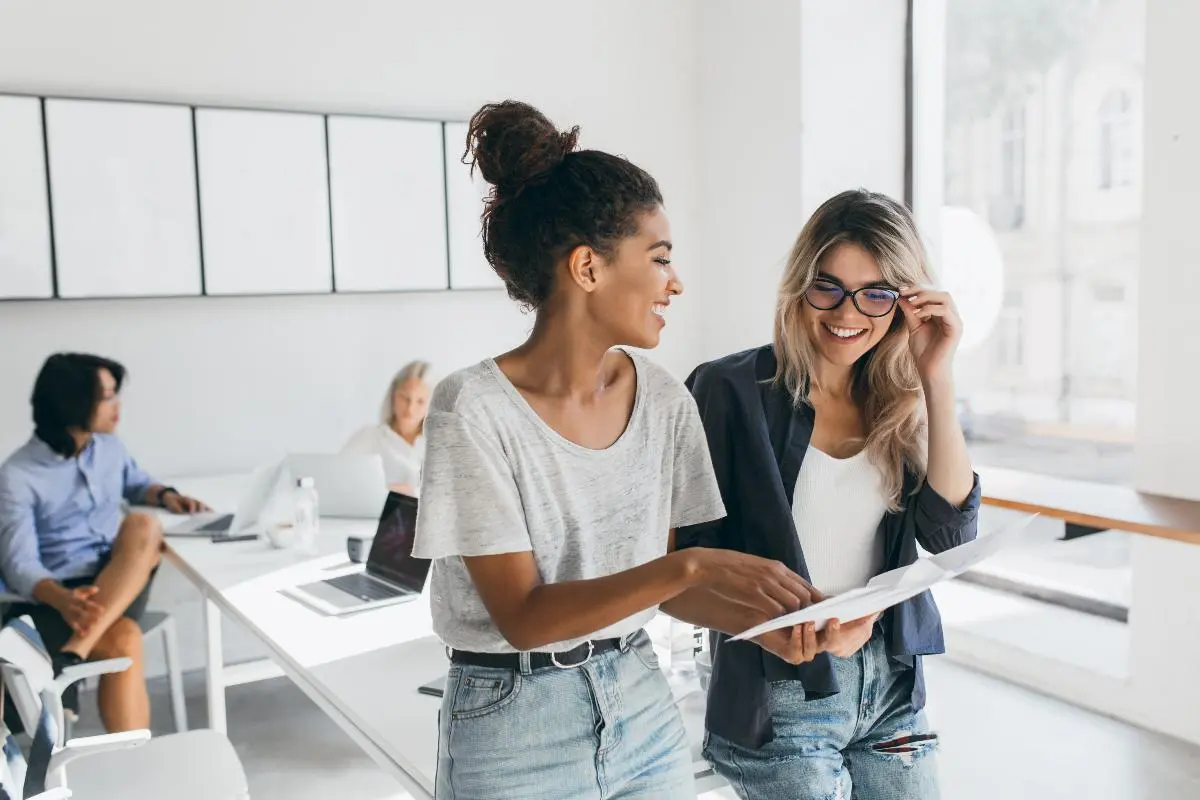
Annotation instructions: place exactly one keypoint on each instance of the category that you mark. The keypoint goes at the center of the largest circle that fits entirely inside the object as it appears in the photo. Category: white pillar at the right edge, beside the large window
(1167, 575)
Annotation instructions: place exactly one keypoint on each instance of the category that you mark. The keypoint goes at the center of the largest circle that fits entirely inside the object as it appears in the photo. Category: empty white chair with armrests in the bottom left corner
(194, 766)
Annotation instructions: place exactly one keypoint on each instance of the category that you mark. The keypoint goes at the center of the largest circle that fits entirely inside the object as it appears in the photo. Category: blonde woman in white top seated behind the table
(400, 435)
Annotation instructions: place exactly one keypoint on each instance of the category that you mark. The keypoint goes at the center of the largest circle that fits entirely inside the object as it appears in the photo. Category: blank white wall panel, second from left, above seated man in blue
(123, 183)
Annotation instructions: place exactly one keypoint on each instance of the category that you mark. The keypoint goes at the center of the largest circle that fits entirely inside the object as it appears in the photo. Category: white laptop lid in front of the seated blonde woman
(349, 485)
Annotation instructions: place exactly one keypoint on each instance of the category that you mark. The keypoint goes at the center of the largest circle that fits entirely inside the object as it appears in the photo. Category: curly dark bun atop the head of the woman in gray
(513, 145)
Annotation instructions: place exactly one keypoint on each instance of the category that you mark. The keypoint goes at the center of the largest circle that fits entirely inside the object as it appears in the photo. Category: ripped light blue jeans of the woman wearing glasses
(853, 745)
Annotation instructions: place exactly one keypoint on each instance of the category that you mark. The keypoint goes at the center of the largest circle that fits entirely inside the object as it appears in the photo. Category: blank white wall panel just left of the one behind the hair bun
(388, 200)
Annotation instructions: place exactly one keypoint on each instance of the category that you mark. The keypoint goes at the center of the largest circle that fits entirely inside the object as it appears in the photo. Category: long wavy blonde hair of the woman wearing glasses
(885, 382)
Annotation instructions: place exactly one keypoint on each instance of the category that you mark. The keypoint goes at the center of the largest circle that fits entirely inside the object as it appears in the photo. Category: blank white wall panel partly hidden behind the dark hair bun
(465, 202)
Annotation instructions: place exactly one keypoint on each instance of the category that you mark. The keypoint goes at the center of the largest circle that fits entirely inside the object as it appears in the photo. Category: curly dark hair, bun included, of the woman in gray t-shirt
(549, 199)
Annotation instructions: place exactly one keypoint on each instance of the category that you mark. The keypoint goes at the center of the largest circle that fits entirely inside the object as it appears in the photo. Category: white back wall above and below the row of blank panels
(220, 384)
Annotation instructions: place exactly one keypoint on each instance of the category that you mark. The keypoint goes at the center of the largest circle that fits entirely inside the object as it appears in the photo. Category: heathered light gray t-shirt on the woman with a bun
(500, 480)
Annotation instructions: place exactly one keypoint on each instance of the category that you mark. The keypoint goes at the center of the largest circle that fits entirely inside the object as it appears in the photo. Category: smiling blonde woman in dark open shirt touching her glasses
(838, 453)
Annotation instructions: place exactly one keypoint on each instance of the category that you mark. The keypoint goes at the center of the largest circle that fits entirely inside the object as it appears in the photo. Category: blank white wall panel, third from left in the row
(265, 202)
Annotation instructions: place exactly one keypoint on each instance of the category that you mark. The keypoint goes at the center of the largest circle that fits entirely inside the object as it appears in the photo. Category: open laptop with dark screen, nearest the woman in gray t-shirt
(392, 574)
